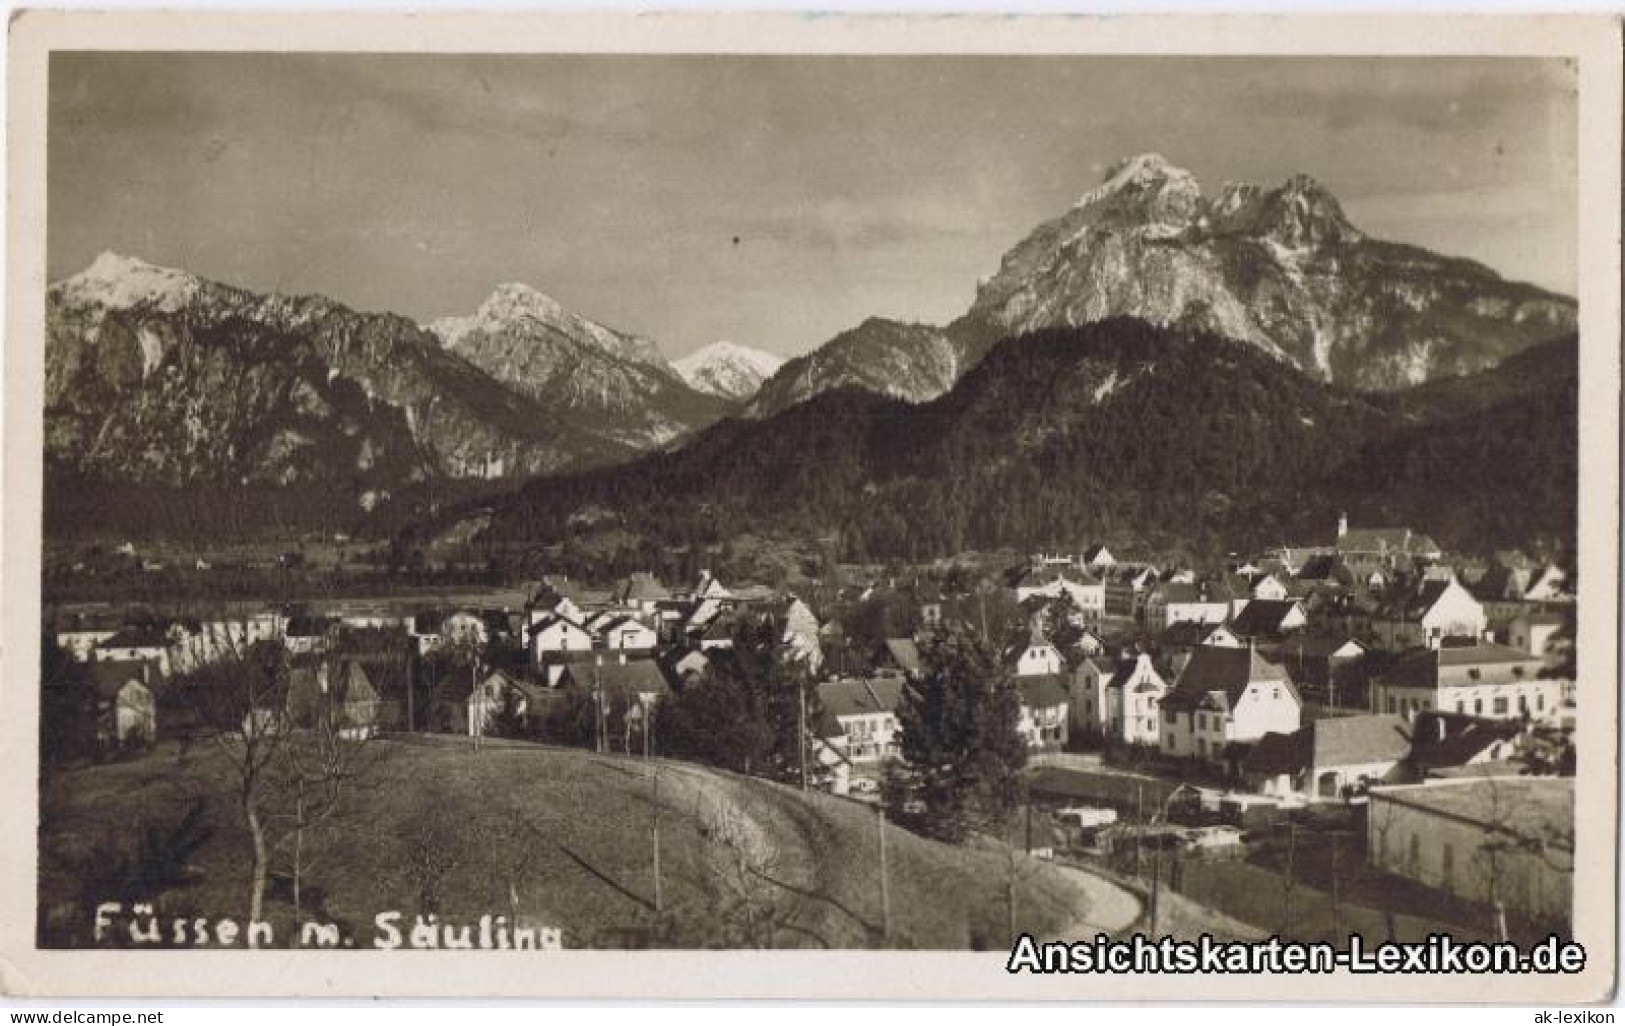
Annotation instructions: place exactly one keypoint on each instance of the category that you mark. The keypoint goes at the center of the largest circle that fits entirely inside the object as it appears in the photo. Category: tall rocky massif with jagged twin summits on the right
(1281, 269)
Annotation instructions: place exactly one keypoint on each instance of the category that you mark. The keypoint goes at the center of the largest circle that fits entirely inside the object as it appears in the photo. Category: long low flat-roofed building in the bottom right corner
(1506, 841)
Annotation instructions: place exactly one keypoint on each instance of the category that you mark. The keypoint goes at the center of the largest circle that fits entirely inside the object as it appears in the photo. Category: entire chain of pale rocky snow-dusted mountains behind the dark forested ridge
(170, 383)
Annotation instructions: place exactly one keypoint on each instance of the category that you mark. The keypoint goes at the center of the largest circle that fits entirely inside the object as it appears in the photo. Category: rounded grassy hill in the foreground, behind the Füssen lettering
(557, 838)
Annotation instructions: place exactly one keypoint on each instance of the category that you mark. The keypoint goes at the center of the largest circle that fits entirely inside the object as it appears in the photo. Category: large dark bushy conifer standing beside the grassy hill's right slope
(960, 739)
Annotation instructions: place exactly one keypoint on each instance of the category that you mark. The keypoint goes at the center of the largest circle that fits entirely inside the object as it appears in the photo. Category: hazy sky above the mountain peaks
(766, 201)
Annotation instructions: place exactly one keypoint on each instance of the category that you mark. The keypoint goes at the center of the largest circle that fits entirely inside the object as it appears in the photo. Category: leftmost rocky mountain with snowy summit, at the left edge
(163, 378)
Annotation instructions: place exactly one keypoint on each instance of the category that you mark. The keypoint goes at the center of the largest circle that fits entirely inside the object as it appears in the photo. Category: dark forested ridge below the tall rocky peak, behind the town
(1120, 430)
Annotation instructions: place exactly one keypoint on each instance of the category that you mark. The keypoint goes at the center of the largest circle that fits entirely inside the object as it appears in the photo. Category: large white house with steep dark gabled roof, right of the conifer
(1226, 698)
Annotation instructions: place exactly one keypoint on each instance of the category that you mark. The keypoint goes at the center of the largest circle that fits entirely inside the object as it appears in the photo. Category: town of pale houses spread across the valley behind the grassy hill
(1363, 733)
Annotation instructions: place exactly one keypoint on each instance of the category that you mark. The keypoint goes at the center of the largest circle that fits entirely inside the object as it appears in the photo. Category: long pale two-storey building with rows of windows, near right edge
(1475, 680)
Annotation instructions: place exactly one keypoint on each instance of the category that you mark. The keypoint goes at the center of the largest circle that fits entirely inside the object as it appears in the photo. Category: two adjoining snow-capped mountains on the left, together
(155, 376)
